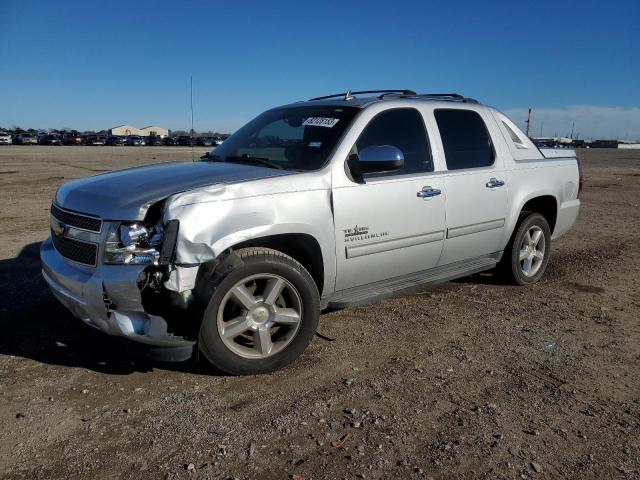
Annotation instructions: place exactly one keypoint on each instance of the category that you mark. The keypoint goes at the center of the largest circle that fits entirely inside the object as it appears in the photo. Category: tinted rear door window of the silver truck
(465, 139)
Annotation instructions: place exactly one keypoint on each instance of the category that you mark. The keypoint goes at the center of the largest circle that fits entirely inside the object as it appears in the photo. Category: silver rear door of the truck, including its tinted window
(477, 193)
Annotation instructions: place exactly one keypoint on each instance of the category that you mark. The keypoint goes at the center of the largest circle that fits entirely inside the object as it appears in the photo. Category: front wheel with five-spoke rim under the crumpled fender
(250, 324)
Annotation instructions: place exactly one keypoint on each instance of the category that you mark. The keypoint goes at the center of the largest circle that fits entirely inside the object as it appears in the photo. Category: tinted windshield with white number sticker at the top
(294, 138)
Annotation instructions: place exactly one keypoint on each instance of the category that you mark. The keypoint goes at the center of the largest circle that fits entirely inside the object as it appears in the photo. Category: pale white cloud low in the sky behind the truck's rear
(590, 121)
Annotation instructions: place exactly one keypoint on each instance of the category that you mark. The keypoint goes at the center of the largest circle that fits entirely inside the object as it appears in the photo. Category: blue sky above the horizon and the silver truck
(93, 65)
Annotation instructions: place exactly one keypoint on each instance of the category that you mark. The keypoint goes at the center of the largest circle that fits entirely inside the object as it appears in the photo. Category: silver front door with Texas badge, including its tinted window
(389, 225)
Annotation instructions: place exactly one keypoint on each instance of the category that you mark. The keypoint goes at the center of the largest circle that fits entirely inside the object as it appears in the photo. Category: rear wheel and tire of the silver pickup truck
(515, 266)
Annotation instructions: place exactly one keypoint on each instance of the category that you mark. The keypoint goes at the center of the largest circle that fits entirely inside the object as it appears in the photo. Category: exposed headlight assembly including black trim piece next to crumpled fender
(134, 244)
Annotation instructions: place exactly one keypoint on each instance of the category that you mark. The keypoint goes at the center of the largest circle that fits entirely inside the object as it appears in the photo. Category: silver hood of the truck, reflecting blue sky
(126, 194)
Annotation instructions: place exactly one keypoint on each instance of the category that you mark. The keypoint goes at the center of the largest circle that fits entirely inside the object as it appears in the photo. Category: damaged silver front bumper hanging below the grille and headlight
(107, 297)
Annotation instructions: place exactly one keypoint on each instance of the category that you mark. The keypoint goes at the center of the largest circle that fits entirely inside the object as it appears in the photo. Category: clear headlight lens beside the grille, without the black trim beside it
(133, 244)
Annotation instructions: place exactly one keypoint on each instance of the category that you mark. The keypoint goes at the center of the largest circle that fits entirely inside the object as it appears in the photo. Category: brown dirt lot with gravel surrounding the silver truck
(474, 379)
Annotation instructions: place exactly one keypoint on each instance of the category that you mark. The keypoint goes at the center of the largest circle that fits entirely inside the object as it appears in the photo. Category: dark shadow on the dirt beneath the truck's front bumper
(36, 326)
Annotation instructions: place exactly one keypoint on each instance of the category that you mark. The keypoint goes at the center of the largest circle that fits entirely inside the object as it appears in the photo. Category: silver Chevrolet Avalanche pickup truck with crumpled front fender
(331, 202)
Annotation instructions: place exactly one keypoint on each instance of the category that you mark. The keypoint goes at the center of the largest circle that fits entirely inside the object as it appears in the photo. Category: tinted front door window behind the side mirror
(403, 128)
